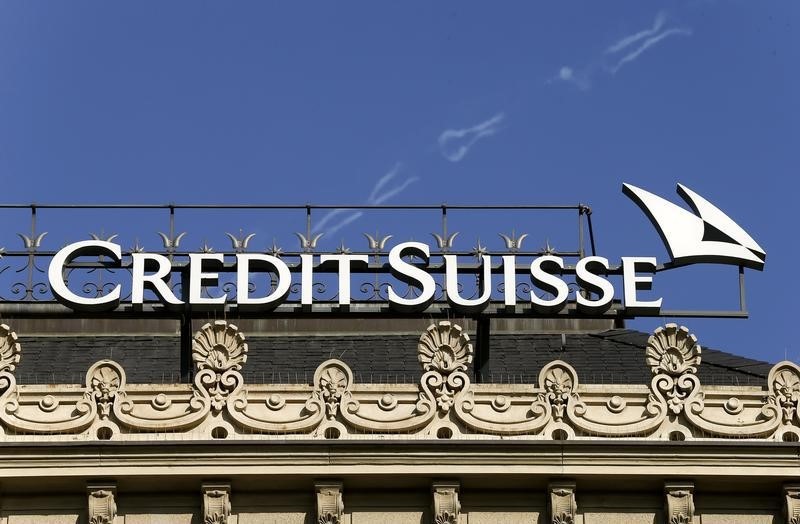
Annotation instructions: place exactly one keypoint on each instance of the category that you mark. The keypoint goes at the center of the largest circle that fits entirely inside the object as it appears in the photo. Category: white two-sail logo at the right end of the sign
(707, 235)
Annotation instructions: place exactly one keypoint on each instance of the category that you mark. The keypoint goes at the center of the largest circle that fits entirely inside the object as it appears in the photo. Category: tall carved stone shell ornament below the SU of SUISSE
(445, 351)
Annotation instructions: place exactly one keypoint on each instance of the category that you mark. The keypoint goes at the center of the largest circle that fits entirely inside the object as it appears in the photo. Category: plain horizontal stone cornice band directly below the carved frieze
(428, 458)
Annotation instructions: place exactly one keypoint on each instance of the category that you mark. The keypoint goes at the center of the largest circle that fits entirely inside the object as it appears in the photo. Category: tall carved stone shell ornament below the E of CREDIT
(218, 351)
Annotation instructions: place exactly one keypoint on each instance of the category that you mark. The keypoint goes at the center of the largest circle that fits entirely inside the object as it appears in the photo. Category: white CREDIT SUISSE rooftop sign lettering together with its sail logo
(407, 277)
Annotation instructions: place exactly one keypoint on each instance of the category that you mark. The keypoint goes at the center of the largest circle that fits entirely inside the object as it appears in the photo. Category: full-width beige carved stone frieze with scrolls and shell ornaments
(556, 406)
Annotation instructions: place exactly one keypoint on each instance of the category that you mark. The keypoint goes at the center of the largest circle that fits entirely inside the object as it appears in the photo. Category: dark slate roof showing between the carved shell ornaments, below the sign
(614, 356)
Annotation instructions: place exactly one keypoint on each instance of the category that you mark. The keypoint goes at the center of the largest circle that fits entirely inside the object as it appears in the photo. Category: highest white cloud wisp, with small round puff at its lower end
(620, 53)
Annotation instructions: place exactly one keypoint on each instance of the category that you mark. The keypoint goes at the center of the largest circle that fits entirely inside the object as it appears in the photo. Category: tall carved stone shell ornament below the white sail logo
(673, 356)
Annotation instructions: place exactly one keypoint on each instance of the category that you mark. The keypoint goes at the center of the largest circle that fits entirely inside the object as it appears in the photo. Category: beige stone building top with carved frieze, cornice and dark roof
(577, 423)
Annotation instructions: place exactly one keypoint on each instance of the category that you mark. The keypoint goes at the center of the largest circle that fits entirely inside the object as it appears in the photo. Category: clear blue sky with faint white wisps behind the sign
(458, 102)
